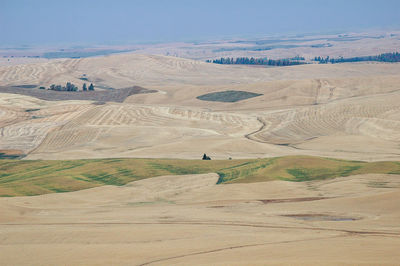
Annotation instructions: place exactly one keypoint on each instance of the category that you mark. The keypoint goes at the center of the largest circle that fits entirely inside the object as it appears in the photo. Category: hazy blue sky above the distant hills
(121, 21)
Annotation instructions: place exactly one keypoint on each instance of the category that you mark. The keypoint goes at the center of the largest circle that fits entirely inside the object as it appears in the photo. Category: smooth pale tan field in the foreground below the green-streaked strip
(185, 220)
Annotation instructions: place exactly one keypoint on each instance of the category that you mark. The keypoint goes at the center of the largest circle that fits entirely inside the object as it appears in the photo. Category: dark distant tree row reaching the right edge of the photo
(386, 57)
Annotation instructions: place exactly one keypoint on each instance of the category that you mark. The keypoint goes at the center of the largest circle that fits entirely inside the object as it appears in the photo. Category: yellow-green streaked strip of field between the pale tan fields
(36, 177)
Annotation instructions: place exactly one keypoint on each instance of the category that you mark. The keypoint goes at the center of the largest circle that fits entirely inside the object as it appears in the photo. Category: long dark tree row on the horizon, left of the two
(258, 61)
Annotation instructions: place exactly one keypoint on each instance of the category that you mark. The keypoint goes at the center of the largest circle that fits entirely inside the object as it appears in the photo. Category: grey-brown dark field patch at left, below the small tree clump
(118, 95)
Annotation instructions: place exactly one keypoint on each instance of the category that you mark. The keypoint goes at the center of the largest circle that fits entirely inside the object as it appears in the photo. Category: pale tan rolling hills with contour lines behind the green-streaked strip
(347, 111)
